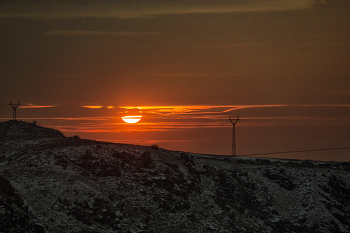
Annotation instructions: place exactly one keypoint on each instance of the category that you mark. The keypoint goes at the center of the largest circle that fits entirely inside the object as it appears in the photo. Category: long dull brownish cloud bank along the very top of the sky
(138, 8)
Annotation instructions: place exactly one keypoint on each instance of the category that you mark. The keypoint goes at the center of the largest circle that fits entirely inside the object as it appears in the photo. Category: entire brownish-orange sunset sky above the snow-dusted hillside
(282, 66)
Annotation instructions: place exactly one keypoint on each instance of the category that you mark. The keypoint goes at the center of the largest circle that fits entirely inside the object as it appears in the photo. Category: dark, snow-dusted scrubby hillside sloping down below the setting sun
(52, 183)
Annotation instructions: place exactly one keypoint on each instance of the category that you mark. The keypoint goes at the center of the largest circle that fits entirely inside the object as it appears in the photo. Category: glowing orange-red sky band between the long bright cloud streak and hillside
(206, 129)
